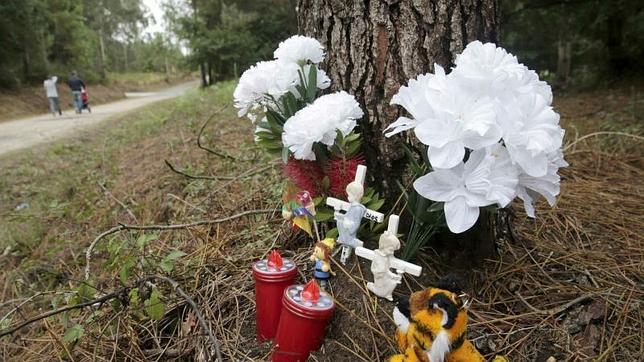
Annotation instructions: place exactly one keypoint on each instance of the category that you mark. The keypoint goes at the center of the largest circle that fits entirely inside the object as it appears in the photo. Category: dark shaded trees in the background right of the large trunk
(576, 42)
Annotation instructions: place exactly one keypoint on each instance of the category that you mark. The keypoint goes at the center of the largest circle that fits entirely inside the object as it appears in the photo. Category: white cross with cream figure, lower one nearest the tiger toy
(383, 260)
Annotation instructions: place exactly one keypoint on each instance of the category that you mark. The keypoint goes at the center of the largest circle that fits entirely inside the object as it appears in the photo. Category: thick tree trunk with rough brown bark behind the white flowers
(374, 47)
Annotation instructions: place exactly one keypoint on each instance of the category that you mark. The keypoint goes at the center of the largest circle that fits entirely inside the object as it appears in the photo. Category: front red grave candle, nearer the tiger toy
(305, 313)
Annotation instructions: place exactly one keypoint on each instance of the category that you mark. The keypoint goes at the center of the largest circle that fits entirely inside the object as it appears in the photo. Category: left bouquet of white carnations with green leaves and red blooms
(315, 135)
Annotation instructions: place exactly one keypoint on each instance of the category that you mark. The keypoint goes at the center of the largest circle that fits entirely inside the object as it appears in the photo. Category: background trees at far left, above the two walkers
(91, 36)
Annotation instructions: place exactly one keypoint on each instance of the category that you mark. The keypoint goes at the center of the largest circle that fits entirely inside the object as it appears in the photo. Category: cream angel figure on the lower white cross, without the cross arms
(384, 280)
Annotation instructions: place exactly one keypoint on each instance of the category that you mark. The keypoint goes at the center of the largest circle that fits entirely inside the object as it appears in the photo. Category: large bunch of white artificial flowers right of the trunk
(490, 131)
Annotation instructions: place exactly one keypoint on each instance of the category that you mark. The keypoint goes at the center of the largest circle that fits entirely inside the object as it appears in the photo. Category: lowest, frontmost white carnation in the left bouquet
(319, 121)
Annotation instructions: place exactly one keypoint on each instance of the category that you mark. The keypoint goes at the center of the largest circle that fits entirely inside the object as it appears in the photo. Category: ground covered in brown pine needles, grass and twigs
(568, 285)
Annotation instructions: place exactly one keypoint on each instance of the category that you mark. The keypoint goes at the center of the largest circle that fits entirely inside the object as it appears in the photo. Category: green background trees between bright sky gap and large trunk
(226, 37)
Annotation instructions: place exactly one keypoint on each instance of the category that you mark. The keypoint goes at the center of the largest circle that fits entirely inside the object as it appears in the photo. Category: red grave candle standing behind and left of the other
(272, 276)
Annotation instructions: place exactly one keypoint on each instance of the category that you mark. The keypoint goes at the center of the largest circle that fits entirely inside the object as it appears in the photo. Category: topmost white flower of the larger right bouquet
(487, 69)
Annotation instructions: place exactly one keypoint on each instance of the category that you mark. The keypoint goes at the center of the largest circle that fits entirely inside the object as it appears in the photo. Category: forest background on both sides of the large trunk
(578, 43)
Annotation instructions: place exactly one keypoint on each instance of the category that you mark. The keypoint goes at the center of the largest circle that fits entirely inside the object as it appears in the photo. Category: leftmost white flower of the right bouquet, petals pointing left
(415, 98)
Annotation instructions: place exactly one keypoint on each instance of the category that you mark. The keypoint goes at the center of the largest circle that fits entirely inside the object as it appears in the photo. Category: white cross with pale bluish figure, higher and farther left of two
(348, 222)
